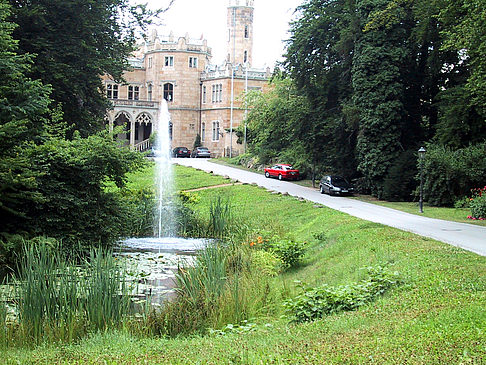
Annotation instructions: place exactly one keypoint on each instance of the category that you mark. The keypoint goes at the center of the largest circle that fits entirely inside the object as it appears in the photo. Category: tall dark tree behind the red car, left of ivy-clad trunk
(319, 59)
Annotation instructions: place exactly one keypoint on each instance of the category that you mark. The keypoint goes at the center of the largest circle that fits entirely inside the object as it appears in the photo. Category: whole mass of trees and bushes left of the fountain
(56, 160)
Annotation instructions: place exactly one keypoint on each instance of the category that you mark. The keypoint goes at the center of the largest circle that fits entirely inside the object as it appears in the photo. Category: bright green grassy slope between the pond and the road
(437, 317)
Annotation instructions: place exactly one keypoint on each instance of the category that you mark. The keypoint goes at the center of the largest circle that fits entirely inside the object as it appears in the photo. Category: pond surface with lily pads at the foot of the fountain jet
(154, 263)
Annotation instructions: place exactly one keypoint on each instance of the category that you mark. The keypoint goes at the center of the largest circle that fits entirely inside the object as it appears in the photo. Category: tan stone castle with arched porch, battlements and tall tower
(203, 98)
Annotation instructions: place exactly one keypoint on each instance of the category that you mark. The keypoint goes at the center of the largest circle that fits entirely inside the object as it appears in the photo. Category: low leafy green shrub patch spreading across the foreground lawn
(314, 303)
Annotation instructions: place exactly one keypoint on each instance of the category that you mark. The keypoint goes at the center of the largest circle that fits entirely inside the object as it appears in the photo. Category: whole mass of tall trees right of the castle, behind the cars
(367, 82)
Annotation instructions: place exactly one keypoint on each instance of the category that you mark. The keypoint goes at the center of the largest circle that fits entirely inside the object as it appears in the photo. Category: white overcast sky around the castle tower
(208, 18)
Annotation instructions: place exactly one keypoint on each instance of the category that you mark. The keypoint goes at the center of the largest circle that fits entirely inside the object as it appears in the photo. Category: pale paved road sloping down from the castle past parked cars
(467, 236)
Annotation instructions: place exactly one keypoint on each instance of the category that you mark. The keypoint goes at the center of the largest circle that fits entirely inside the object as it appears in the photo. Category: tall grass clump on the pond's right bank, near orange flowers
(217, 289)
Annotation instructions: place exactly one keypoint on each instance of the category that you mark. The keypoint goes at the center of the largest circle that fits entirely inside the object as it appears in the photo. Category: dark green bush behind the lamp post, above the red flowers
(450, 174)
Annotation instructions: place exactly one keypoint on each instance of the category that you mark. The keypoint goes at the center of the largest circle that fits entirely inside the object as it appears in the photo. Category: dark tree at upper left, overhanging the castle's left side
(75, 43)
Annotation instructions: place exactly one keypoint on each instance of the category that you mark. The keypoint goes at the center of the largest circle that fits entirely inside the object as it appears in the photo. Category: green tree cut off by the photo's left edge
(23, 108)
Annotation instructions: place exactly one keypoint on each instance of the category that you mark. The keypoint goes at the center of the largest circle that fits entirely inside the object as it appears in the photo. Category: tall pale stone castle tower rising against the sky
(240, 32)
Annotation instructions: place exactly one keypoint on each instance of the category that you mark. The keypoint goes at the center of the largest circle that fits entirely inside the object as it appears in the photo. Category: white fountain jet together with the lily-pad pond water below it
(158, 257)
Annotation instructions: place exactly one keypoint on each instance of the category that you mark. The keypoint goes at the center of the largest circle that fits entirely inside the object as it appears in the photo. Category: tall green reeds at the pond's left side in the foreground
(60, 299)
